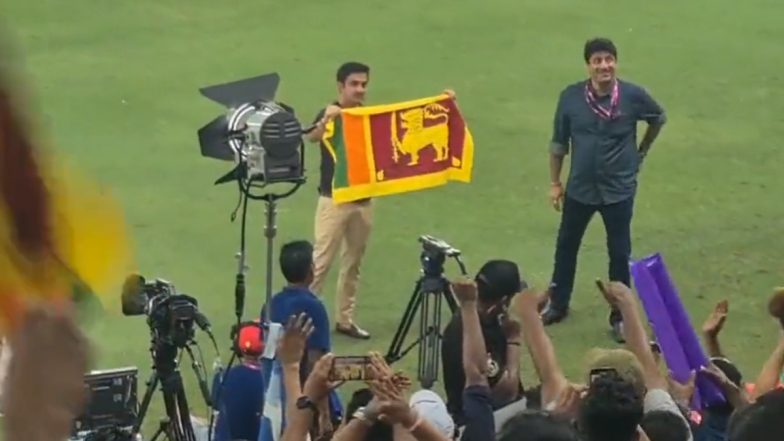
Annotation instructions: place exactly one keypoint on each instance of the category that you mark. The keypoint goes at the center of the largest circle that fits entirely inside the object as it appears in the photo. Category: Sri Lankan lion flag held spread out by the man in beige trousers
(397, 148)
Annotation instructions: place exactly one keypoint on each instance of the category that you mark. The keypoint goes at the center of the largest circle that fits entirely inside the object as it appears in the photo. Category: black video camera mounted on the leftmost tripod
(170, 315)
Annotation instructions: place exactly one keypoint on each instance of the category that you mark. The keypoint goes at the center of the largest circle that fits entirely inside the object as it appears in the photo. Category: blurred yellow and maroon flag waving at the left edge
(61, 236)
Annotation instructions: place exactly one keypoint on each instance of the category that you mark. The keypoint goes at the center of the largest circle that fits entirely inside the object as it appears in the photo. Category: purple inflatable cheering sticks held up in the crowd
(671, 326)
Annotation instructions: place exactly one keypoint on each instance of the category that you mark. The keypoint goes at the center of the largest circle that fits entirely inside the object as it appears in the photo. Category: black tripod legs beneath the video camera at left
(177, 425)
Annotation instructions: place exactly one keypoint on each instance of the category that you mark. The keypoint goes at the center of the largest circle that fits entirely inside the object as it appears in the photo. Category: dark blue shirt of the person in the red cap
(241, 403)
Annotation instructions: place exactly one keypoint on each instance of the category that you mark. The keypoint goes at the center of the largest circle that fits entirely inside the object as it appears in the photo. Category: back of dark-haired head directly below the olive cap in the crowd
(611, 410)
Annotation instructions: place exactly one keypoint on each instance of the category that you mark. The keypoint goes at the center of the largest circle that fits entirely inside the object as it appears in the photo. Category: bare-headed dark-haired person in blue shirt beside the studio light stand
(296, 264)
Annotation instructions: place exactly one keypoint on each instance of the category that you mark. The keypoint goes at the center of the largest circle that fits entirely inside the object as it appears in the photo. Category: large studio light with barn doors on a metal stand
(264, 139)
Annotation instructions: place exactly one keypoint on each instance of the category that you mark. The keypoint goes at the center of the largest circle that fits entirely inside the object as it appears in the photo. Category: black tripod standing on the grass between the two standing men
(427, 300)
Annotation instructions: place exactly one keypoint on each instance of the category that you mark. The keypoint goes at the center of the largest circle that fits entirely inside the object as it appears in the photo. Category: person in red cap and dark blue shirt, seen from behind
(240, 398)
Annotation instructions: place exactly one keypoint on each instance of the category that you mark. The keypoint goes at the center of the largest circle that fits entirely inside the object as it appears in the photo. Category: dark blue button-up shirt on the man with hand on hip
(605, 157)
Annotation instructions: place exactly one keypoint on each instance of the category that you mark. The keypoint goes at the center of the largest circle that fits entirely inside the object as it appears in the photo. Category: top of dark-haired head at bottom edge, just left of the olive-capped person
(537, 426)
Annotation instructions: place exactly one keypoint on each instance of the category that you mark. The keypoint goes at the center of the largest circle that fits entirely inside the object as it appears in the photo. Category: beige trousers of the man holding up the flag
(348, 226)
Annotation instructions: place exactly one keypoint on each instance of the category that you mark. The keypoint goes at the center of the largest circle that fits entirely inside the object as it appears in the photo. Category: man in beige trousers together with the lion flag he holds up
(364, 156)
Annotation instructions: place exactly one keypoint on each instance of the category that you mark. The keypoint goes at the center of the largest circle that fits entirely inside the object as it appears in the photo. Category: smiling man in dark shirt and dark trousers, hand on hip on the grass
(596, 120)
